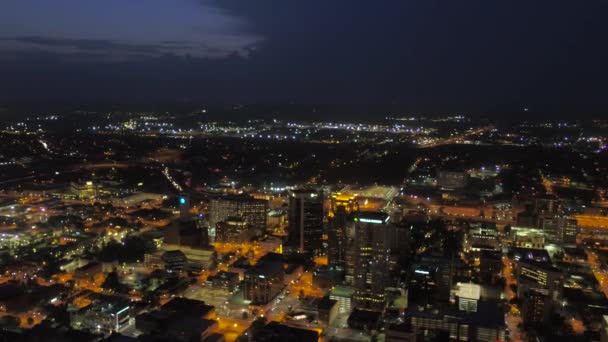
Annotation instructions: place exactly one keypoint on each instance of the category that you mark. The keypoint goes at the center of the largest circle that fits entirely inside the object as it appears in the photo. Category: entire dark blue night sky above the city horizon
(485, 56)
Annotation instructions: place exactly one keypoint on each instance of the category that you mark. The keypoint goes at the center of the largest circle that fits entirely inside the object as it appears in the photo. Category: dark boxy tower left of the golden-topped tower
(306, 220)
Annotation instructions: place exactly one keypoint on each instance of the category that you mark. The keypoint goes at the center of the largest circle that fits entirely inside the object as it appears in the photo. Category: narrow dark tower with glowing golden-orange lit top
(341, 207)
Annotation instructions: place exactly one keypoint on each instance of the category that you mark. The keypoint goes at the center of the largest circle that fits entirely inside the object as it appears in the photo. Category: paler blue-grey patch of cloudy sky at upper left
(121, 29)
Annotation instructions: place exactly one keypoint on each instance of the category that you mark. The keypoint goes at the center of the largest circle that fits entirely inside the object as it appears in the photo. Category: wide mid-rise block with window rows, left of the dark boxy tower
(251, 210)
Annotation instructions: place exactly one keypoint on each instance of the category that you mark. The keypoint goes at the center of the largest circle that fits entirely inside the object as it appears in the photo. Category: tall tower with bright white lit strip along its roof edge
(371, 258)
